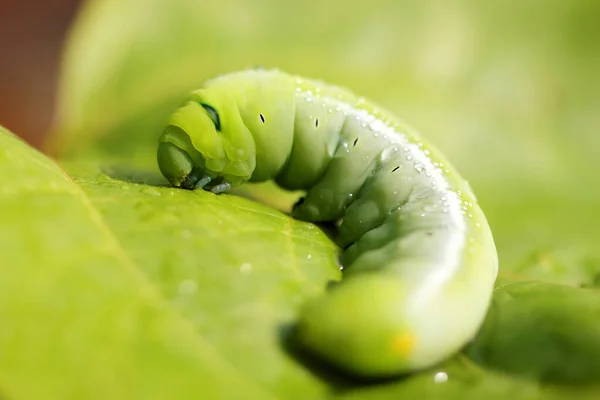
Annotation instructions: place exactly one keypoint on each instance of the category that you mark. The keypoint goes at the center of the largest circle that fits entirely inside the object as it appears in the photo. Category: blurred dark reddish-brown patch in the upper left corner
(31, 38)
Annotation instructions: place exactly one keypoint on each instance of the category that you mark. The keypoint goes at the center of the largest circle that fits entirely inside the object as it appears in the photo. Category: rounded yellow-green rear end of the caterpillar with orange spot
(375, 326)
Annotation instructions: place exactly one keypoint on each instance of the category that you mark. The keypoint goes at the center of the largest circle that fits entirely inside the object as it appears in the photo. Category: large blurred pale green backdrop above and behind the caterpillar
(508, 90)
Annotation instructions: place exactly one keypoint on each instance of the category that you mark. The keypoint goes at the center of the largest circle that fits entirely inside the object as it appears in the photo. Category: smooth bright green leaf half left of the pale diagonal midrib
(79, 318)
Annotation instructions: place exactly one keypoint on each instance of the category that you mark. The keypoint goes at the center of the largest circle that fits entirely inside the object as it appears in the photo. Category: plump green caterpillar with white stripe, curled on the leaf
(418, 253)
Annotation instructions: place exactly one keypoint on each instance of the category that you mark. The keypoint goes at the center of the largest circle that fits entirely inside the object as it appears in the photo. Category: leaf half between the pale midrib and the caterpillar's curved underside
(235, 269)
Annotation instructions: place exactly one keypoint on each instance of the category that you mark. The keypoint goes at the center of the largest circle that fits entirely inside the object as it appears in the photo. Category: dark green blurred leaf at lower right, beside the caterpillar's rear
(543, 332)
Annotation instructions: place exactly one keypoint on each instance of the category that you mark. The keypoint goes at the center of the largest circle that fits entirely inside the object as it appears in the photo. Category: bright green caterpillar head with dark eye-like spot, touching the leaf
(197, 147)
